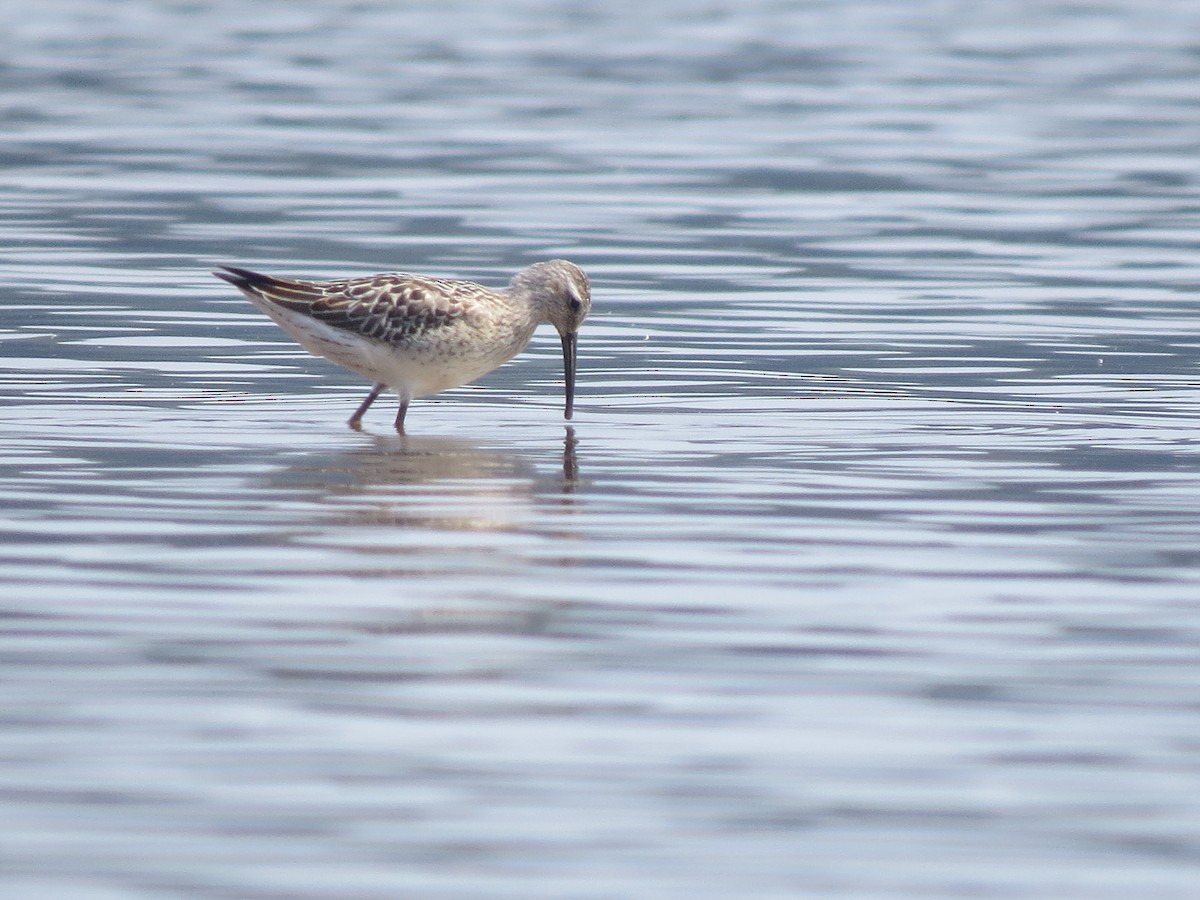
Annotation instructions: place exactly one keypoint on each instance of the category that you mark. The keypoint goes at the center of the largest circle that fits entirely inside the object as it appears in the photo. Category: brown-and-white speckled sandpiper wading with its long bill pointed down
(419, 335)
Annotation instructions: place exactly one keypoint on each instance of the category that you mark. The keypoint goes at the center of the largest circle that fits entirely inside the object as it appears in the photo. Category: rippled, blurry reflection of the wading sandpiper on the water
(447, 532)
